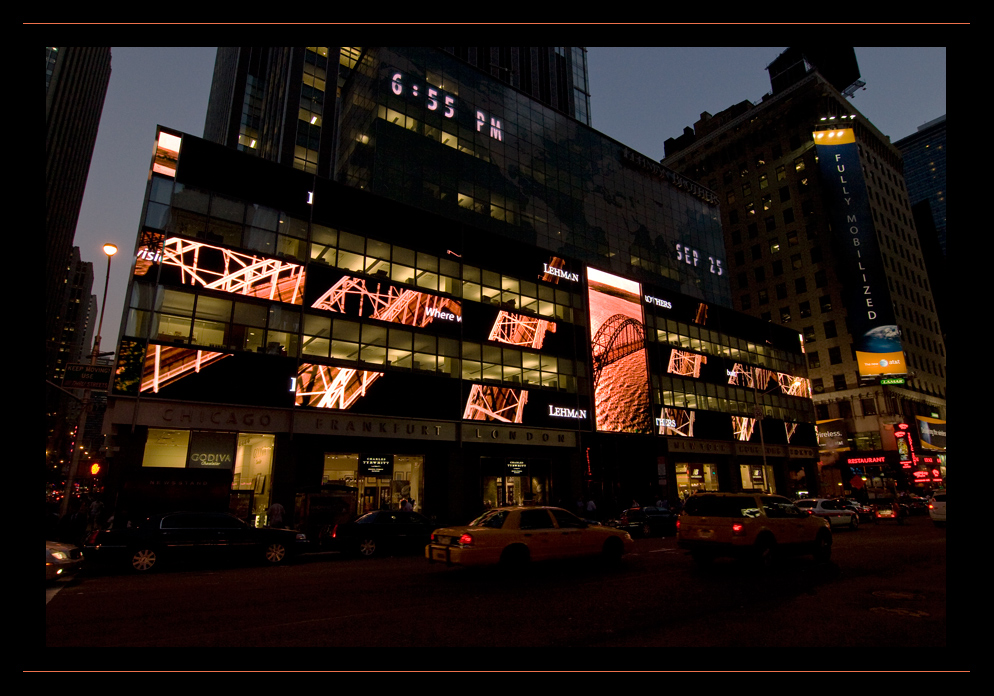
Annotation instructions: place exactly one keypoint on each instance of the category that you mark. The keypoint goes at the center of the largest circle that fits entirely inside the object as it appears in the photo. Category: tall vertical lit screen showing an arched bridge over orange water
(621, 375)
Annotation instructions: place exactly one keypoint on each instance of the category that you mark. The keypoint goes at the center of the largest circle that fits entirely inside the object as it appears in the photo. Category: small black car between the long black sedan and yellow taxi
(383, 531)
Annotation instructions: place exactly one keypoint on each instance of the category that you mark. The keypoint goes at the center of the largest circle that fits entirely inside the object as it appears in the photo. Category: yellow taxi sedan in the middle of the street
(513, 536)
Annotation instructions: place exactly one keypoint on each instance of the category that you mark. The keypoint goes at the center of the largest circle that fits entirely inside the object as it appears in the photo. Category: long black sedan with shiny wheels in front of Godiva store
(209, 536)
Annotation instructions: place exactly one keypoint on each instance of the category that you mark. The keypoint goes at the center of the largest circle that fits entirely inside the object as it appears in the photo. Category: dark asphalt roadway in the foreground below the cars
(885, 588)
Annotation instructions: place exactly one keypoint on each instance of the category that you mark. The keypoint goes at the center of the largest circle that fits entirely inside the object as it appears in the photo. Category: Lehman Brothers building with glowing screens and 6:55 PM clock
(343, 344)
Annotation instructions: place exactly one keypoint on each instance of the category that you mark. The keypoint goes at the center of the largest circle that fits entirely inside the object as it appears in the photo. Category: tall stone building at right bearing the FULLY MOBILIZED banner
(793, 204)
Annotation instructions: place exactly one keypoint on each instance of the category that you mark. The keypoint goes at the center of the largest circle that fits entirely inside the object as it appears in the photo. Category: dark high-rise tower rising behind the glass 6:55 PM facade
(281, 103)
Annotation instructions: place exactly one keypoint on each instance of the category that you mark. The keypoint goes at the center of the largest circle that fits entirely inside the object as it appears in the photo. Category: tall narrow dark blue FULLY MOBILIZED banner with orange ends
(866, 296)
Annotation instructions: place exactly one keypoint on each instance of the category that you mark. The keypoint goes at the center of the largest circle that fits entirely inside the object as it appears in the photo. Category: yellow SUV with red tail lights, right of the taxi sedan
(750, 525)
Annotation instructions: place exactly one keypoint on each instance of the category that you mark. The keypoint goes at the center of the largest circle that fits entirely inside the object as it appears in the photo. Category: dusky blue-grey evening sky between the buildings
(639, 96)
